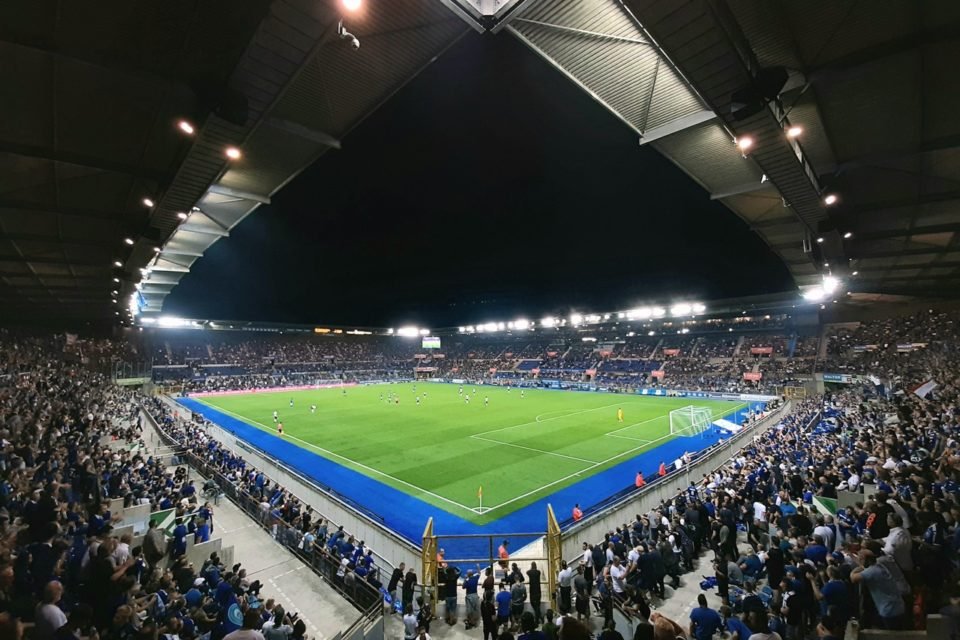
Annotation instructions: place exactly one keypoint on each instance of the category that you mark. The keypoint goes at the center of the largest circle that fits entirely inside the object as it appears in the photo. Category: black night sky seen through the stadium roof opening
(490, 187)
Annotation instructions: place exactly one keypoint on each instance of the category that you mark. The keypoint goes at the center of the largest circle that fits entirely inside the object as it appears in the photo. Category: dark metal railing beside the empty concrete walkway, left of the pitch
(363, 594)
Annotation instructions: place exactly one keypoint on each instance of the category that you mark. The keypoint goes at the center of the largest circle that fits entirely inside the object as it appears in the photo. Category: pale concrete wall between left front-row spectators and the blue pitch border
(390, 549)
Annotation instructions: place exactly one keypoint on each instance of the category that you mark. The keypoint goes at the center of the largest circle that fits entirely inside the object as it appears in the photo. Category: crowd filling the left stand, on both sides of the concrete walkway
(70, 446)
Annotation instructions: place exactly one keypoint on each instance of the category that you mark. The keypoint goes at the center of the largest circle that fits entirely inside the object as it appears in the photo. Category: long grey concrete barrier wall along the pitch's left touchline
(389, 549)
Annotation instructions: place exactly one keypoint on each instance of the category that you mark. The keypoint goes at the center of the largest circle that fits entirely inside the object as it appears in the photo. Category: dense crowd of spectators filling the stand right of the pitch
(784, 565)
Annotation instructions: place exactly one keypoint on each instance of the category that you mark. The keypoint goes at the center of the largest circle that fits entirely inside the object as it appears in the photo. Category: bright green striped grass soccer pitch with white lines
(443, 450)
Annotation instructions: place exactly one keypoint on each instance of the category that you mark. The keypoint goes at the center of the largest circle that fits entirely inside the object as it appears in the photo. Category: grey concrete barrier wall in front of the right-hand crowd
(594, 529)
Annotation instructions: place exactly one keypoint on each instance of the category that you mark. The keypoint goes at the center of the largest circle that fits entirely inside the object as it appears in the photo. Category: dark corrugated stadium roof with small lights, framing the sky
(91, 130)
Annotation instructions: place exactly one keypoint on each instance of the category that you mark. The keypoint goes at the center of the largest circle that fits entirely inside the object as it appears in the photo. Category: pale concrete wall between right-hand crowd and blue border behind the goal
(620, 508)
